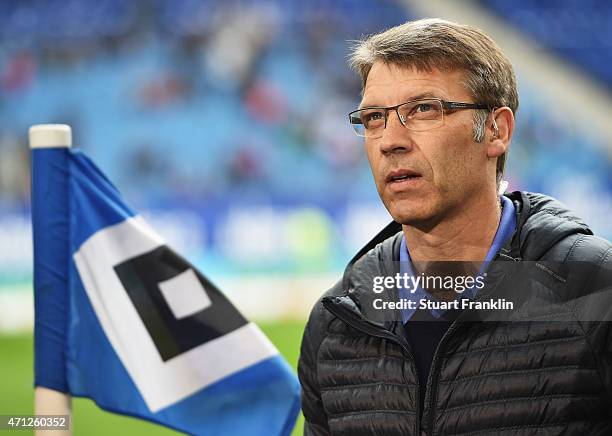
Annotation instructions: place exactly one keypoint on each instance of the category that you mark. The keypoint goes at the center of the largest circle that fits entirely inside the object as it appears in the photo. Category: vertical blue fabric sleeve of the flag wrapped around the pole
(50, 230)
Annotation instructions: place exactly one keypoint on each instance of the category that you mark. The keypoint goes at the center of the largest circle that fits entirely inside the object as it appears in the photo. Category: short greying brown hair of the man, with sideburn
(436, 43)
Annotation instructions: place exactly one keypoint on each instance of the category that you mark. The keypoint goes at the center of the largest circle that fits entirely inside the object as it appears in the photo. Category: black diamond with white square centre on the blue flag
(180, 308)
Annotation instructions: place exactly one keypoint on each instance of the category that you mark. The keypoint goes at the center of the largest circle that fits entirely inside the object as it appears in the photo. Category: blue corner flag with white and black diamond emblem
(123, 319)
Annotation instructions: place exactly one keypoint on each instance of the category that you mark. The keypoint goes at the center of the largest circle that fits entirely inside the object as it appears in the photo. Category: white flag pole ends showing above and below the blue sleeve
(48, 401)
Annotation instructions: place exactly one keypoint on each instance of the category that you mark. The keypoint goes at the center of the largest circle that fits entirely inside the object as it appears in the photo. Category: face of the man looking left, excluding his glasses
(446, 165)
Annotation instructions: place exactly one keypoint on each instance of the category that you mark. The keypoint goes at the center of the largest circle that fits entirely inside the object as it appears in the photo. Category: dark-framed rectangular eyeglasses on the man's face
(417, 115)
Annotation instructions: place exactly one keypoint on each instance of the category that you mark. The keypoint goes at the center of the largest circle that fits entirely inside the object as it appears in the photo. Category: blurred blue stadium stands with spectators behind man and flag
(227, 120)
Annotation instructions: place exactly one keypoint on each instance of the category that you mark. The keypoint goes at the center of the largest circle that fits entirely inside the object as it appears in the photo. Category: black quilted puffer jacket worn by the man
(548, 373)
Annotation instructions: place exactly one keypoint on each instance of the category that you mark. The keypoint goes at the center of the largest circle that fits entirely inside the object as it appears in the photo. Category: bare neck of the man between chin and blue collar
(466, 235)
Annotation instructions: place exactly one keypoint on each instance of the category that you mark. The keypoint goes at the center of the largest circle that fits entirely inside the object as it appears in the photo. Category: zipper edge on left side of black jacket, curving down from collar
(369, 329)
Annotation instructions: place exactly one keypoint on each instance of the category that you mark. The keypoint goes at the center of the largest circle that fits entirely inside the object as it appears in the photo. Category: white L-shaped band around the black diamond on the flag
(160, 383)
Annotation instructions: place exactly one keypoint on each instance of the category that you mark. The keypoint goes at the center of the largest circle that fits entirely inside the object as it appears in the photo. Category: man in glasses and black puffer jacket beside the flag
(437, 117)
